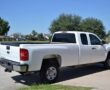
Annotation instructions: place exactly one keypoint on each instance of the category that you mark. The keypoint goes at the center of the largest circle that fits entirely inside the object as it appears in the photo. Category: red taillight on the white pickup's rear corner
(24, 55)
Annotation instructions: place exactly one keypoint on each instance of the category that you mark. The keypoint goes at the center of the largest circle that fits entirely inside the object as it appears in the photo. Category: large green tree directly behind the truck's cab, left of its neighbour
(66, 23)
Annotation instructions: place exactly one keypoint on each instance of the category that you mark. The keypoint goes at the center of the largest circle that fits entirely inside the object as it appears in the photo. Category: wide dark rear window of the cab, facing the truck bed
(64, 37)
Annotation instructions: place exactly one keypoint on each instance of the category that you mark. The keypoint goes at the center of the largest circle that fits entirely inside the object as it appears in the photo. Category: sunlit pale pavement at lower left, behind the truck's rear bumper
(6, 81)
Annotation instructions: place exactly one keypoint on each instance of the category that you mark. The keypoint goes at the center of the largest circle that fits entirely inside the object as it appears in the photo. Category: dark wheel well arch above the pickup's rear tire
(52, 58)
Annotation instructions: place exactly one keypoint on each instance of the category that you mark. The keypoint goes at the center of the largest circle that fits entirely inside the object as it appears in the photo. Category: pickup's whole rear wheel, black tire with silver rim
(49, 72)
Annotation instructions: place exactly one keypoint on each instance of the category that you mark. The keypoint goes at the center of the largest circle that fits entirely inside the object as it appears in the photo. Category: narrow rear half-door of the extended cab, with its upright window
(84, 50)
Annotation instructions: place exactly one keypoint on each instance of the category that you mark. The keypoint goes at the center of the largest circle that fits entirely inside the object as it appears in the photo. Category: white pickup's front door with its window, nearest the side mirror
(98, 51)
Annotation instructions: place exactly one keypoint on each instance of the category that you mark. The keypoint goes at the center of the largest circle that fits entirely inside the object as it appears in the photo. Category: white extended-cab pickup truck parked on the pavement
(67, 48)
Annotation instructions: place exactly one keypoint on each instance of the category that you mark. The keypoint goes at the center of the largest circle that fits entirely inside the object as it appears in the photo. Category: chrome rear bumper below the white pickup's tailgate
(13, 66)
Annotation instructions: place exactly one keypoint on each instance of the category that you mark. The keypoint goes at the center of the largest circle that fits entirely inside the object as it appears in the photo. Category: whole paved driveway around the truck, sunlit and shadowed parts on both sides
(89, 76)
